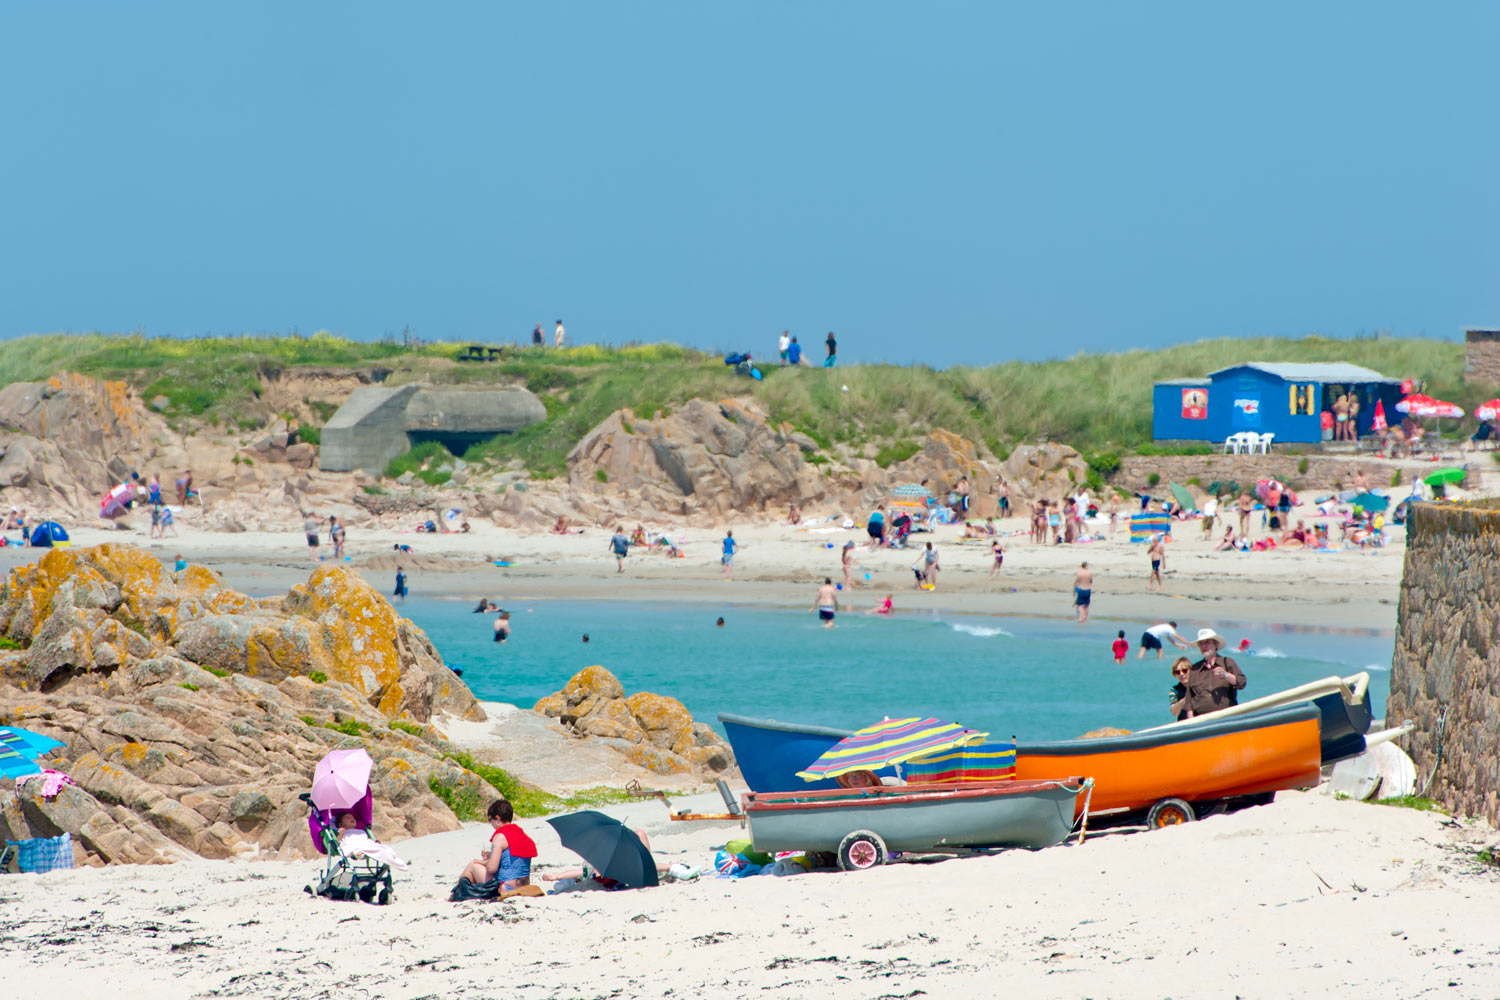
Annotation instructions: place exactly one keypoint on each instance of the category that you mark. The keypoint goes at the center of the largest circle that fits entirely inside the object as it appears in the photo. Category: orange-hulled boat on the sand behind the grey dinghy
(1180, 773)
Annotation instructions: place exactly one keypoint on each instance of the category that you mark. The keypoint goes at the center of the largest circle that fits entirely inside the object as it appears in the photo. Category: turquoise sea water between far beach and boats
(1036, 680)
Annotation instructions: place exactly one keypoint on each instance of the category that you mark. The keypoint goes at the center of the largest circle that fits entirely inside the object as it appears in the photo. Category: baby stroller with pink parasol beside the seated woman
(344, 876)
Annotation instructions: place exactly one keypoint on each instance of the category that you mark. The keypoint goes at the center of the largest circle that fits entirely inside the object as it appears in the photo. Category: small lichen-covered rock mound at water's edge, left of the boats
(652, 731)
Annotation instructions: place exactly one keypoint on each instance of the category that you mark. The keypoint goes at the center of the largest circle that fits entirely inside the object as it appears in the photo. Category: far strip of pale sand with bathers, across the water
(781, 566)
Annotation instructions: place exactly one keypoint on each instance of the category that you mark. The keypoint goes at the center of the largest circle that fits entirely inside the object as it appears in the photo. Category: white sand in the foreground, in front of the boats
(1307, 897)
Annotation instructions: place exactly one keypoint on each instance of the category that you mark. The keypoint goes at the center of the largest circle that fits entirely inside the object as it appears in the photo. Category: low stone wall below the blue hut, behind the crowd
(1322, 473)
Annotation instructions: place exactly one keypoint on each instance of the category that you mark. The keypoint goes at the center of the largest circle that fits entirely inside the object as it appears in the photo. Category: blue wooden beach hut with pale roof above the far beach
(1267, 398)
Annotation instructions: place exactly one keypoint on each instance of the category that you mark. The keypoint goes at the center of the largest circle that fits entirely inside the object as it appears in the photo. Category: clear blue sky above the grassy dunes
(947, 182)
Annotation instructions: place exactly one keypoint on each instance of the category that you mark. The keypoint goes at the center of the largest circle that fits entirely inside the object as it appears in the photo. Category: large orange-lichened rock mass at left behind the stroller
(194, 716)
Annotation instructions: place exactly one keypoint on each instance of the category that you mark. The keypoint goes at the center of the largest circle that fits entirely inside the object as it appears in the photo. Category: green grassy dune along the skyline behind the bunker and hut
(1097, 403)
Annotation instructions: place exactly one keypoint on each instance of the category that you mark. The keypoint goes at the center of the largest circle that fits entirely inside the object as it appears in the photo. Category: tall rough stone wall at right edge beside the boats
(1445, 675)
